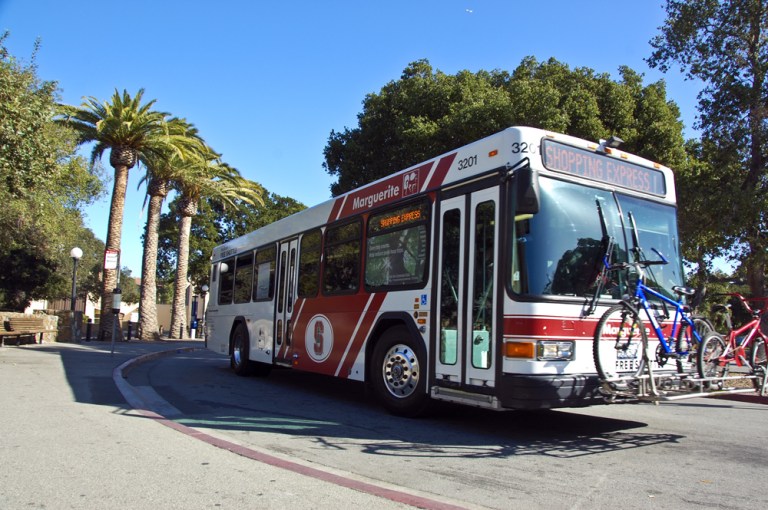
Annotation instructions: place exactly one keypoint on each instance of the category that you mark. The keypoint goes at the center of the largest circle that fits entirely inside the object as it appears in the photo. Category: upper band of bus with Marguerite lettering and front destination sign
(565, 155)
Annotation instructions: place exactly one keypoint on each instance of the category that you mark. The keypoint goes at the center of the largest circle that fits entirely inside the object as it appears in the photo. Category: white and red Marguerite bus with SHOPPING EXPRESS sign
(472, 278)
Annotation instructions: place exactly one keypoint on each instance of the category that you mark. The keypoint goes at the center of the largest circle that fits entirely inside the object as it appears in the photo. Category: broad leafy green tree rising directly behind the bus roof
(426, 113)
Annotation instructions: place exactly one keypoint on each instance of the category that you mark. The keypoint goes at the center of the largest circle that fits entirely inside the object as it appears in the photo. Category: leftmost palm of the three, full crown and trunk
(132, 131)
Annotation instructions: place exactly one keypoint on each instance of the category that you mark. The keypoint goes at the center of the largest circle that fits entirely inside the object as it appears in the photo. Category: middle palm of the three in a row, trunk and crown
(160, 172)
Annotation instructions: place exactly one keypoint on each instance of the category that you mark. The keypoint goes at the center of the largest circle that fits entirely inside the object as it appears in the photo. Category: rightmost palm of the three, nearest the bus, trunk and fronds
(206, 177)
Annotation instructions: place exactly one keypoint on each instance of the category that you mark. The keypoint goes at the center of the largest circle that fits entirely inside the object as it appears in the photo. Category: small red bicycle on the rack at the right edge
(744, 347)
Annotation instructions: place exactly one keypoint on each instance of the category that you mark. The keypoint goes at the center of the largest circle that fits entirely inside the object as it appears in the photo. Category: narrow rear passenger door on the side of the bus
(286, 296)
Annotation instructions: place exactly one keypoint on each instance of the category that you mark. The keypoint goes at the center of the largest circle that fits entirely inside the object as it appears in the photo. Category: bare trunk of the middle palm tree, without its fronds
(148, 327)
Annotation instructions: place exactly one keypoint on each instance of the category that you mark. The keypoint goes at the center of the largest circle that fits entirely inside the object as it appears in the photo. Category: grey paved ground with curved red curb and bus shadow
(315, 442)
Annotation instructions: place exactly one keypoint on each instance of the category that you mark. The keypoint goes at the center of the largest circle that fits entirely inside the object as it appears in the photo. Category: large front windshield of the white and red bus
(559, 251)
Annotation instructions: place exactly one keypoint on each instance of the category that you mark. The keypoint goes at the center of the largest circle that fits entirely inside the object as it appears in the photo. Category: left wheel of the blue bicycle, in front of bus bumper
(619, 345)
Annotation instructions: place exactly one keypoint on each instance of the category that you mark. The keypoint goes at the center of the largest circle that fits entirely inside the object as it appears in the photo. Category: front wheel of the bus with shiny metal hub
(398, 372)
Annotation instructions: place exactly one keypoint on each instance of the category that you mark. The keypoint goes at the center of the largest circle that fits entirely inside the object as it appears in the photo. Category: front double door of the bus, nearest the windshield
(467, 268)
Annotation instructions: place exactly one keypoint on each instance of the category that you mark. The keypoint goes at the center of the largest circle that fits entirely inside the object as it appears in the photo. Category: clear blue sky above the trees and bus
(266, 82)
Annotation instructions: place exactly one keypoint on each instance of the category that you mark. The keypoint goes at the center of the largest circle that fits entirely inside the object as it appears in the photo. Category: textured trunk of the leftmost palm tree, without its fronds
(114, 234)
